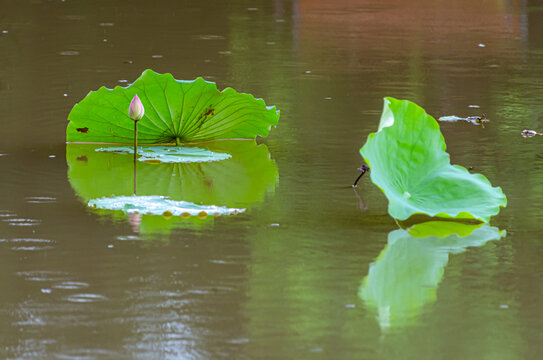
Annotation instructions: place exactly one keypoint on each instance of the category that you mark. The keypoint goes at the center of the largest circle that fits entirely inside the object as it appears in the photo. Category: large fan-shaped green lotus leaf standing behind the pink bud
(176, 111)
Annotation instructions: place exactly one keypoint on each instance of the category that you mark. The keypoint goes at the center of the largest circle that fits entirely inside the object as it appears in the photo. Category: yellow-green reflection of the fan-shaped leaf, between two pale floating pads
(238, 182)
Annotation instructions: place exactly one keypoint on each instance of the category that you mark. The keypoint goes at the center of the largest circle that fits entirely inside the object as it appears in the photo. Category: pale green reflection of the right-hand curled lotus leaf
(406, 275)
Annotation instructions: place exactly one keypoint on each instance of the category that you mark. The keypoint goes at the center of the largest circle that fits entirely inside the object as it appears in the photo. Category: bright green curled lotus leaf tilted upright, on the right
(408, 162)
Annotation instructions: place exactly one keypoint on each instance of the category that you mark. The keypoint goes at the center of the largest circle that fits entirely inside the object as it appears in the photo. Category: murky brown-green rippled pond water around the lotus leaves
(286, 278)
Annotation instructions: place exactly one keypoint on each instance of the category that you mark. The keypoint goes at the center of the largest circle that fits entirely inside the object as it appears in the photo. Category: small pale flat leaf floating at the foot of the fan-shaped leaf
(169, 154)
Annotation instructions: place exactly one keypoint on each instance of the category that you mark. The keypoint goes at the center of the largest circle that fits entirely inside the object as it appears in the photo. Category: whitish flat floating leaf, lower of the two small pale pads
(160, 205)
